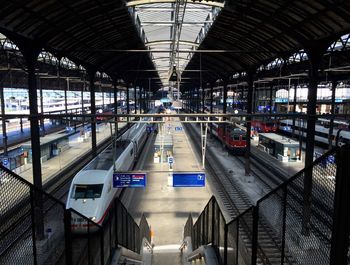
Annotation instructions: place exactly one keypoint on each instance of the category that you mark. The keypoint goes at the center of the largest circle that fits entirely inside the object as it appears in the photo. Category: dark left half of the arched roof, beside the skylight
(94, 33)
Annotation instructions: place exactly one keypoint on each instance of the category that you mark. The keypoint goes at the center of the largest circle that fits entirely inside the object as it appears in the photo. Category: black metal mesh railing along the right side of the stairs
(286, 226)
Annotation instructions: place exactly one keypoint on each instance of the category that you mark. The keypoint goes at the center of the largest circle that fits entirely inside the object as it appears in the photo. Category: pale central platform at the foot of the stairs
(167, 208)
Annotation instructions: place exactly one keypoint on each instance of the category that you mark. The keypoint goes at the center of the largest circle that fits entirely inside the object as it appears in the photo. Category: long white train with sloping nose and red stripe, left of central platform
(91, 192)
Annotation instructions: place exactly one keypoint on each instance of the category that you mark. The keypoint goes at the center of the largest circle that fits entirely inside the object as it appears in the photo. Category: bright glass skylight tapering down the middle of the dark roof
(171, 28)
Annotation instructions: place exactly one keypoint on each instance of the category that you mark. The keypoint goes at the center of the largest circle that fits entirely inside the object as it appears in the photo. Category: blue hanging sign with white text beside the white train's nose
(129, 180)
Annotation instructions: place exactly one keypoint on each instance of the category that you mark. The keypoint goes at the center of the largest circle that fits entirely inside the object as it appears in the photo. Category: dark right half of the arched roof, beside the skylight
(256, 32)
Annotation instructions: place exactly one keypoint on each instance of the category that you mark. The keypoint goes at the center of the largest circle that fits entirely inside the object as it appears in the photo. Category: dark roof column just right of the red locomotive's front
(250, 81)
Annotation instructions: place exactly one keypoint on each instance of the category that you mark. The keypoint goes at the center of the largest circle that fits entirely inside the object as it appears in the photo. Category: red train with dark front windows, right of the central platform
(234, 138)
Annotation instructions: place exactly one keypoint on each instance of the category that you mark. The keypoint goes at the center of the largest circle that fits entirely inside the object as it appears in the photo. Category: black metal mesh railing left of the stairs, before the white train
(36, 228)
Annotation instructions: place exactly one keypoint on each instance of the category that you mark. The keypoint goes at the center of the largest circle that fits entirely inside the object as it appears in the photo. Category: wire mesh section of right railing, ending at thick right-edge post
(300, 229)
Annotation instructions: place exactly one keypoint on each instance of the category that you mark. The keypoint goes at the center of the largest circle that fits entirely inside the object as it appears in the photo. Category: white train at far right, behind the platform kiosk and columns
(321, 132)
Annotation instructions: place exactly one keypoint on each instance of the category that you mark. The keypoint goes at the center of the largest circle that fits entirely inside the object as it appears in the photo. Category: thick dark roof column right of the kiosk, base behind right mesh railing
(315, 57)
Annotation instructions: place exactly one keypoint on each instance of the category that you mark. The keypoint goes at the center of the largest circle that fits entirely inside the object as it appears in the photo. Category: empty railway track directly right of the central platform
(236, 201)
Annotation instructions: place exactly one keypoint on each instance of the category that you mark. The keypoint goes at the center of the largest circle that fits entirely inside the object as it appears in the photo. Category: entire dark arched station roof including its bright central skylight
(142, 40)
